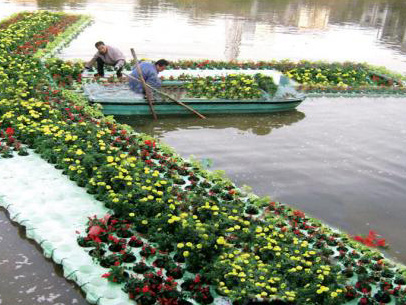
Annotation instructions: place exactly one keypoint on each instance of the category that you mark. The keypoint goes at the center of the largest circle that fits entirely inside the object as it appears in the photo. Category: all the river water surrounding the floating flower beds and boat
(340, 160)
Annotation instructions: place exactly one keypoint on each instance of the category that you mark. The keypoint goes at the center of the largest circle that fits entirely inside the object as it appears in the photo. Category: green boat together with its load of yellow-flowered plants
(206, 91)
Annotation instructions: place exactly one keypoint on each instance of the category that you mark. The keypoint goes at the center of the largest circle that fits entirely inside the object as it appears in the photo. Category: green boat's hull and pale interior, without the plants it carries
(118, 99)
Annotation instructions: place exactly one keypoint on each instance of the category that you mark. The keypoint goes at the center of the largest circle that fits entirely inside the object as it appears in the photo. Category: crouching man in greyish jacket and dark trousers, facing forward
(107, 55)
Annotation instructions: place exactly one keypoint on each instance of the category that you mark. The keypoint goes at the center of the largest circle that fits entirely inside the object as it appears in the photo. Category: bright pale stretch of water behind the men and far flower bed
(358, 30)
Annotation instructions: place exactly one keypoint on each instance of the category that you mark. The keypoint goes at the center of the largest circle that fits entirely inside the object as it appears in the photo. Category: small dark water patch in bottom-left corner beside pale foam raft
(26, 276)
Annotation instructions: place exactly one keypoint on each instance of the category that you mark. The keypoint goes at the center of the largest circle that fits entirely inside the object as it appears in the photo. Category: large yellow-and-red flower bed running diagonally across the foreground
(193, 224)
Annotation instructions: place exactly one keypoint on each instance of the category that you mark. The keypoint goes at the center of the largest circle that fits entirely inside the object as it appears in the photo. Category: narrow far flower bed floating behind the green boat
(317, 76)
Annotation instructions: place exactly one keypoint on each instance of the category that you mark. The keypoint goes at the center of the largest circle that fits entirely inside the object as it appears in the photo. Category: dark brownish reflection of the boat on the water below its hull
(258, 124)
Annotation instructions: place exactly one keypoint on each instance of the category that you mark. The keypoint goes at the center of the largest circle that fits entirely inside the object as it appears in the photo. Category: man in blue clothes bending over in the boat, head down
(150, 74)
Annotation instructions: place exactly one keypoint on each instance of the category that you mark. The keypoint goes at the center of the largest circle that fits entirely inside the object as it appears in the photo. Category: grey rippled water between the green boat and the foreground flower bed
(340, 159)
